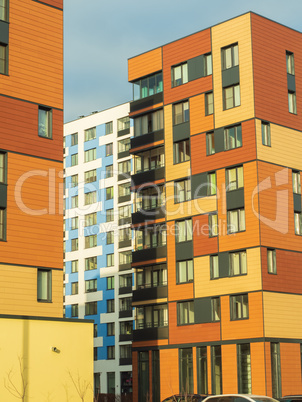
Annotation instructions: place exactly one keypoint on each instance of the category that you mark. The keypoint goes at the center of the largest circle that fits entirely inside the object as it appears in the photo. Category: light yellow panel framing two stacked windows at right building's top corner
(227, 33)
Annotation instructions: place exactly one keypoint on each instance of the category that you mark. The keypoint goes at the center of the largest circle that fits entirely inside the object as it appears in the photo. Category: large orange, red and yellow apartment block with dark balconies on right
(217, 138)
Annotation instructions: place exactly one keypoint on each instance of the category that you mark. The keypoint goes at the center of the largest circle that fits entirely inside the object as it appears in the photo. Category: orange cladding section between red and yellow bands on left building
(34, 213)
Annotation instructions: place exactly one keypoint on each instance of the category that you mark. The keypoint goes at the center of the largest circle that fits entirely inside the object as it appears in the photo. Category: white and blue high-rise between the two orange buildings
(98, 242)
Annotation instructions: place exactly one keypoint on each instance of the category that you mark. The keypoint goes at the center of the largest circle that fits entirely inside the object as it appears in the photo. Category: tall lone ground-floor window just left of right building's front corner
(244, 368)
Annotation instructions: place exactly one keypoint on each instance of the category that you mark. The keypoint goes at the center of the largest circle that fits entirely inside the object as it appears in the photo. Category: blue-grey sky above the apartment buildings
(100, 36)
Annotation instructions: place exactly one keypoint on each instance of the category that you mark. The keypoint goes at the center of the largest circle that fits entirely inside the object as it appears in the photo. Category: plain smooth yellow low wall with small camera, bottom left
(48, 375)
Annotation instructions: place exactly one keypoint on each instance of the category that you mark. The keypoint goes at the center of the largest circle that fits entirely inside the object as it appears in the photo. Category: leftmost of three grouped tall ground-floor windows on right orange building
(186, 371)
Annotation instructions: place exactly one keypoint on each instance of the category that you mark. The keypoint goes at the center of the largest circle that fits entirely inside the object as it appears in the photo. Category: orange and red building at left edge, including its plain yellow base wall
(38, 359)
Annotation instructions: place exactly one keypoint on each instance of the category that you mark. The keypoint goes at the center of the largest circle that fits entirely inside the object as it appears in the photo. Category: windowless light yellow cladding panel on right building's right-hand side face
(282, 315)
